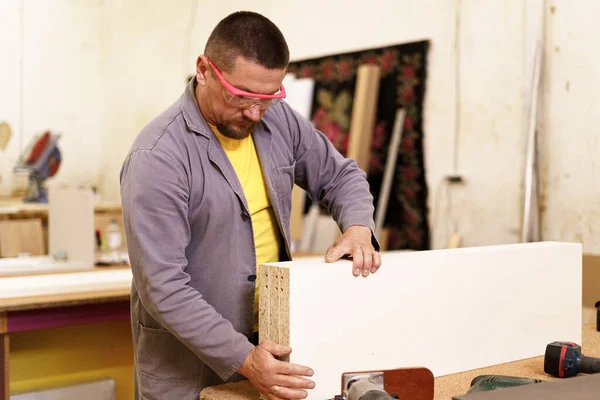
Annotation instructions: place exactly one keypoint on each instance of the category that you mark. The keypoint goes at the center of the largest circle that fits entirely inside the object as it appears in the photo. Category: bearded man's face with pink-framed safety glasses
(237, 116)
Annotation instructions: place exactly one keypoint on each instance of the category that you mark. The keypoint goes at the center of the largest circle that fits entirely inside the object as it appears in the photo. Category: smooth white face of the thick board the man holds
(500, 300)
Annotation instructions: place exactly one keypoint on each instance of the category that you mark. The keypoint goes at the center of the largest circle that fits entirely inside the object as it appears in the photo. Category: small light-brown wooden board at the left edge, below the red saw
(21, 236)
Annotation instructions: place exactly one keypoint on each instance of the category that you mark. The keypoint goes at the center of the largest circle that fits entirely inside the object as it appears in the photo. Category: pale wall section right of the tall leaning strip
(571, 149)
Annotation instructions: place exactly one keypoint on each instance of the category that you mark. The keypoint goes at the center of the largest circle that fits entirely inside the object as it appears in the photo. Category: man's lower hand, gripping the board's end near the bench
(273, 378)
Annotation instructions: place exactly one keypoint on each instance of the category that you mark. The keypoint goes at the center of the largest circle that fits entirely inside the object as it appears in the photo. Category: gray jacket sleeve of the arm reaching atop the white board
(328, 177)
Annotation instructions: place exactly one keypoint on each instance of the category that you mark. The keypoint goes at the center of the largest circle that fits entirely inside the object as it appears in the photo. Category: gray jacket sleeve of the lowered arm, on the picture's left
(154, 191)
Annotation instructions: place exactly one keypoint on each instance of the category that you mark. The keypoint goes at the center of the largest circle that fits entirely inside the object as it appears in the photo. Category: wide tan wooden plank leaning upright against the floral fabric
(364, 109)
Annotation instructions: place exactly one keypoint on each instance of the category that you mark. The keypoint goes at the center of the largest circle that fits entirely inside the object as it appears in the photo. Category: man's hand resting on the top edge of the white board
(356, 241)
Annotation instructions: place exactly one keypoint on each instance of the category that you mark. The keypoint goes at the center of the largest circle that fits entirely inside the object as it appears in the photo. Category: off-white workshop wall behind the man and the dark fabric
(134, 56)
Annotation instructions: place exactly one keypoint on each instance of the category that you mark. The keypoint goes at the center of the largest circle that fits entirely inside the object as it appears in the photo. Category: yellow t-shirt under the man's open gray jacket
(244, 159)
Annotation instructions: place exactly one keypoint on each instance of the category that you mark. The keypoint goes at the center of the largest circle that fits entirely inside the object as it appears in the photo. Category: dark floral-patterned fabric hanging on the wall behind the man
(403, 77)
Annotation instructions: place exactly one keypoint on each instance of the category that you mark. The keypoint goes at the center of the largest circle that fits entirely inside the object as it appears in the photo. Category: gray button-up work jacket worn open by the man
(190, 241)
